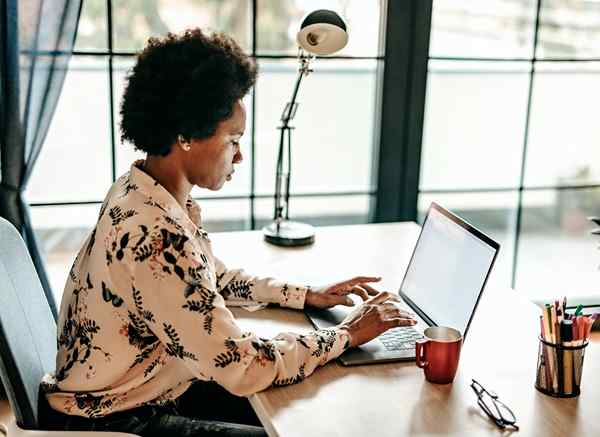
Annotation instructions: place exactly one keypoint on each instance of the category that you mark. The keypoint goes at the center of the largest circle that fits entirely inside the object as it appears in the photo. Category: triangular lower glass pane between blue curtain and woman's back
(62, 231)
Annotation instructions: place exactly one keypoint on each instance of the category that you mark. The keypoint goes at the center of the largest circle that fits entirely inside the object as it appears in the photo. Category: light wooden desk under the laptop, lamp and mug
(394, 399)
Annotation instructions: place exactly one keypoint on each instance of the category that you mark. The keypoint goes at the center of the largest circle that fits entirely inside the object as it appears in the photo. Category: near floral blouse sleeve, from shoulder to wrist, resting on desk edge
(174, 296)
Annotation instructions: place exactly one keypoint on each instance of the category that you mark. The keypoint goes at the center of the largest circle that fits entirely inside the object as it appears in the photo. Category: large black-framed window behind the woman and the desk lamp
(328, 185)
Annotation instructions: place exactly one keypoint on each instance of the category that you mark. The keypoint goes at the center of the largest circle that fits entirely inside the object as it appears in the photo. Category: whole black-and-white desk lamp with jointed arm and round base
(322, 32)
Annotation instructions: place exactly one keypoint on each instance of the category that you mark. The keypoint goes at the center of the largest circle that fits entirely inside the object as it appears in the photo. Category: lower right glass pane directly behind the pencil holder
(557, 254)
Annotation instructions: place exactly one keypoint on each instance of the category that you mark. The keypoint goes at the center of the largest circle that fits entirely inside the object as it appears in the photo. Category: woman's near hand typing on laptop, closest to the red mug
(373, 318)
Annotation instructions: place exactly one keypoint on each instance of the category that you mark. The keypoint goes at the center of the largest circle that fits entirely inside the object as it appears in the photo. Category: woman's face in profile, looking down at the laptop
(211, 160)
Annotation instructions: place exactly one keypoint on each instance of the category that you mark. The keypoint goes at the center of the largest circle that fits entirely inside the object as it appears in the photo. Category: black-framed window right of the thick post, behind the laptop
(510, 138)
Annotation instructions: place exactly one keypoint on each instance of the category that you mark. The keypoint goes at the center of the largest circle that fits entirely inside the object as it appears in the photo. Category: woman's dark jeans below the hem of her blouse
(205, 409)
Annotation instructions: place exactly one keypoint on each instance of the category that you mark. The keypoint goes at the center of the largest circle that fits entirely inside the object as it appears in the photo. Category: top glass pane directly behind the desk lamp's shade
(278, 22)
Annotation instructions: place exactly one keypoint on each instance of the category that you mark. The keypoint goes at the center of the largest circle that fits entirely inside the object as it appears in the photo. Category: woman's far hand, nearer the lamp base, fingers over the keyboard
(337, 294)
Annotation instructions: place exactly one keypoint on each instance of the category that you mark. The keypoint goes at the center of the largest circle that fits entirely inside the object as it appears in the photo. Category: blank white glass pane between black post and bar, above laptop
(474, 125)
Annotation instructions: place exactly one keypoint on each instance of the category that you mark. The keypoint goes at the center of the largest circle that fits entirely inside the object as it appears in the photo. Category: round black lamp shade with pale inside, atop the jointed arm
(322, 32)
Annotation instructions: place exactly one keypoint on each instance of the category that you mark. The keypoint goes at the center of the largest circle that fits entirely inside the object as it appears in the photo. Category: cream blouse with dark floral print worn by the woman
(144, 312)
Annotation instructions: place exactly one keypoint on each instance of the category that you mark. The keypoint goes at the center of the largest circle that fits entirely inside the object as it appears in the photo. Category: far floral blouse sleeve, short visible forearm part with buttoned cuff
(239, 288)
